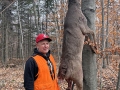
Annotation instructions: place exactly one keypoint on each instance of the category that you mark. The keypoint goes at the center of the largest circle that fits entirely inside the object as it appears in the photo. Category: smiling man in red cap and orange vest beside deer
(40, 69)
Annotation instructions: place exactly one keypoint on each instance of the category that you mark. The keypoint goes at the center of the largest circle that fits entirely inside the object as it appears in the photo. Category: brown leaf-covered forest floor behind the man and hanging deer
(11, 78)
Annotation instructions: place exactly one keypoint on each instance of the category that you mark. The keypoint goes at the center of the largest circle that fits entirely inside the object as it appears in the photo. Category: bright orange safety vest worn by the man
(44, 80)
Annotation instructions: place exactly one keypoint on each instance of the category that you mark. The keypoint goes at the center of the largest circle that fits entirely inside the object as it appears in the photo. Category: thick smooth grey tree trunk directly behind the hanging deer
(89, 59)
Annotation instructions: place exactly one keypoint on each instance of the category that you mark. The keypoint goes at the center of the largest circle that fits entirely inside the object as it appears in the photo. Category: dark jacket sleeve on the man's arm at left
(30, 72)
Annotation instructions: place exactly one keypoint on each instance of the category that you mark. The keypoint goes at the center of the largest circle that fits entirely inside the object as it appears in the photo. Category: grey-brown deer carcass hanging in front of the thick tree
(75, 29)
